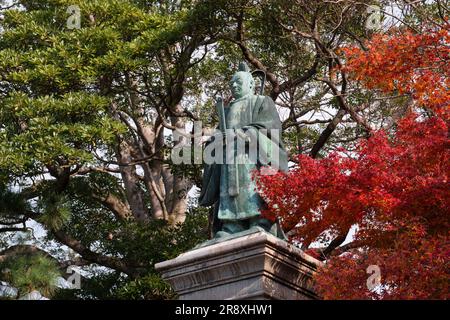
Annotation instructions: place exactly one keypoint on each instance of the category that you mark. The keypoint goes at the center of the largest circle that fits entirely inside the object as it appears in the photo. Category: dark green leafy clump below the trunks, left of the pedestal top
(139, 243)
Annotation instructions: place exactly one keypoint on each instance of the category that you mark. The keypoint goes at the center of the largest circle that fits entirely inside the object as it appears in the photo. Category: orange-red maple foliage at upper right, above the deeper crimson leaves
(405, 62)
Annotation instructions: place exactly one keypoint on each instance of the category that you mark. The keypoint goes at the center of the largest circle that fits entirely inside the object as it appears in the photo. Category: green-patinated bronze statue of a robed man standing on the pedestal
(251, 120)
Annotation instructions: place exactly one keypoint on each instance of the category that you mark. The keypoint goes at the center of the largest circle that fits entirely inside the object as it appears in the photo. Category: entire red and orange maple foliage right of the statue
(393, 190)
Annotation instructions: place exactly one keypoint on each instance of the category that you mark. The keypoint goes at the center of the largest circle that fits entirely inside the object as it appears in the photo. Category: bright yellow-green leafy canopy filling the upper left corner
(67, 112)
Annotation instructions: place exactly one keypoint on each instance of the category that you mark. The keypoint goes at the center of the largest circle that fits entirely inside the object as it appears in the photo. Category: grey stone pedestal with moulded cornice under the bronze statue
(251, 266)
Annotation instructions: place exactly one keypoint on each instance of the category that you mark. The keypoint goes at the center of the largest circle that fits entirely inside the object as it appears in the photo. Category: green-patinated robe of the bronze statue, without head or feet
(230, 187)
